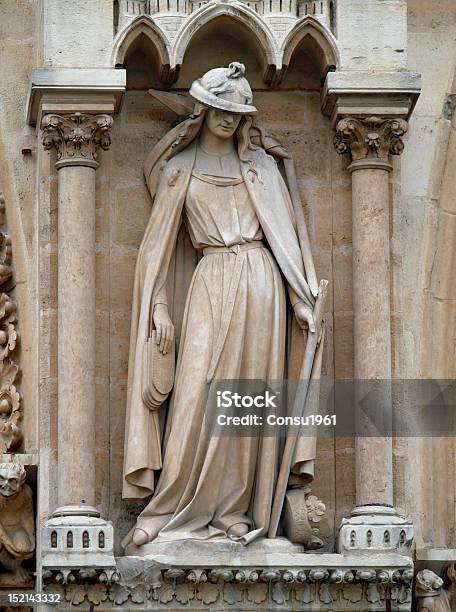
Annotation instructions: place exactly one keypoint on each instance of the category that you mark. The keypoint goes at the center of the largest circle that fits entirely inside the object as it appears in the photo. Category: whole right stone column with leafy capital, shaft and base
(370, 141)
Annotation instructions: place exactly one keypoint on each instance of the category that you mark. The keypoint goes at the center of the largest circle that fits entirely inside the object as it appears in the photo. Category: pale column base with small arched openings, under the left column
(76, 542)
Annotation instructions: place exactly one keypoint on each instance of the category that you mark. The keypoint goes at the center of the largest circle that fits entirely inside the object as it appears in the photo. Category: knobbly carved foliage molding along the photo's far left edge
(10, 399)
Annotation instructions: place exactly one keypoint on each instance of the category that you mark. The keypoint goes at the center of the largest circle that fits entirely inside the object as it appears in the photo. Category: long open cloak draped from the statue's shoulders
(160, 252)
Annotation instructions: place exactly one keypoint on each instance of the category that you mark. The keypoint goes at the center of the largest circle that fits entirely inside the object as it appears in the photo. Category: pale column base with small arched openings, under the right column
(375, 528)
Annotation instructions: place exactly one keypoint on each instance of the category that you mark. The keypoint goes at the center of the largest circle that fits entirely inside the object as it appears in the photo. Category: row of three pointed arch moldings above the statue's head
(276, 57)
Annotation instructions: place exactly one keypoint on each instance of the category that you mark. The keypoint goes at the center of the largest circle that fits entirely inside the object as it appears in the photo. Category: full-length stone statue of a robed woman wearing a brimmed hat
(224, 271)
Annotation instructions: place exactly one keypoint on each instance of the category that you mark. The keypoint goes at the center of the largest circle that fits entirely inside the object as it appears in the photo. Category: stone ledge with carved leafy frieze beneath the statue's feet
(293, 581)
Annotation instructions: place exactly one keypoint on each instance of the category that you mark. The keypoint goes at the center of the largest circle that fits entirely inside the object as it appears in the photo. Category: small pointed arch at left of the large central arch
(143, 25)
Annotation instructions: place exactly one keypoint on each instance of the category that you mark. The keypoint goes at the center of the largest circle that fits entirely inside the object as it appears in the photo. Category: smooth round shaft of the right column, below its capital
(372, 327)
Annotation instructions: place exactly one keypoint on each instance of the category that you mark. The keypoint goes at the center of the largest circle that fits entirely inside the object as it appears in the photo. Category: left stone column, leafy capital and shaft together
(77, 139)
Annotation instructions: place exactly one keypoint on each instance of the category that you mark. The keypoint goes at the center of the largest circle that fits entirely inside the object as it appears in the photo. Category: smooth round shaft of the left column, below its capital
(76, 345)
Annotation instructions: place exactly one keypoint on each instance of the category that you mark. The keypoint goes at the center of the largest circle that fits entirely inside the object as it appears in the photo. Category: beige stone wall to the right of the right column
(423, 256)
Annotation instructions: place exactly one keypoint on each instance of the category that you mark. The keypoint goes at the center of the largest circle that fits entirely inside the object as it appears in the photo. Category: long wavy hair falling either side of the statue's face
(183, 134)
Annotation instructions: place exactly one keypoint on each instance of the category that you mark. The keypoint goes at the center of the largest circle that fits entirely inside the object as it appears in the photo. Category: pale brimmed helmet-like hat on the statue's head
(226, 89)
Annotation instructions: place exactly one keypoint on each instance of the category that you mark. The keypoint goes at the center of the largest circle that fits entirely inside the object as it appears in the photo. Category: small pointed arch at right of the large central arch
(309, 26)
